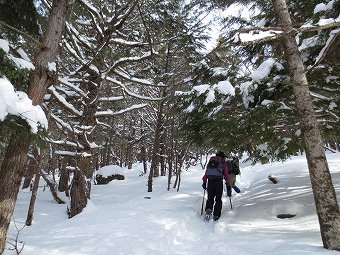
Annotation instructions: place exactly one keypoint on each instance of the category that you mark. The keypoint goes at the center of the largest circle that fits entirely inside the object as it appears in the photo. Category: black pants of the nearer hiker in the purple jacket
(215, 191)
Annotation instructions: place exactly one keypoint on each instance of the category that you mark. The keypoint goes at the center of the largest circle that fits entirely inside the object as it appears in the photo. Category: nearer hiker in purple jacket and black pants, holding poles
(216, 171)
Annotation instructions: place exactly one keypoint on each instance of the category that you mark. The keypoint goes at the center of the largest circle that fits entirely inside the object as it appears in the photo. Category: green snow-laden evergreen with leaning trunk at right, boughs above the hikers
(277, 87)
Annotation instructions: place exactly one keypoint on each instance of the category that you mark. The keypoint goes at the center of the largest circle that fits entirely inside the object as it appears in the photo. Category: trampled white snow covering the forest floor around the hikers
(121, 220)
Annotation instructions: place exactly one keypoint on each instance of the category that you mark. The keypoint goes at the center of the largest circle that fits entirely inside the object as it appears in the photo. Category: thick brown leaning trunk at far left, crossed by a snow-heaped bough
(13, 165)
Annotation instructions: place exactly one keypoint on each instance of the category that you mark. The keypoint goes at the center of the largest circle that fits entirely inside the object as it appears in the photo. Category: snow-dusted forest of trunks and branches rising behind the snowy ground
(131, 81)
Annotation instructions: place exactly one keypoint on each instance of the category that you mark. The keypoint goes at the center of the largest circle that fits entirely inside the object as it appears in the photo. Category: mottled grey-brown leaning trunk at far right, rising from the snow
(324, 194)
